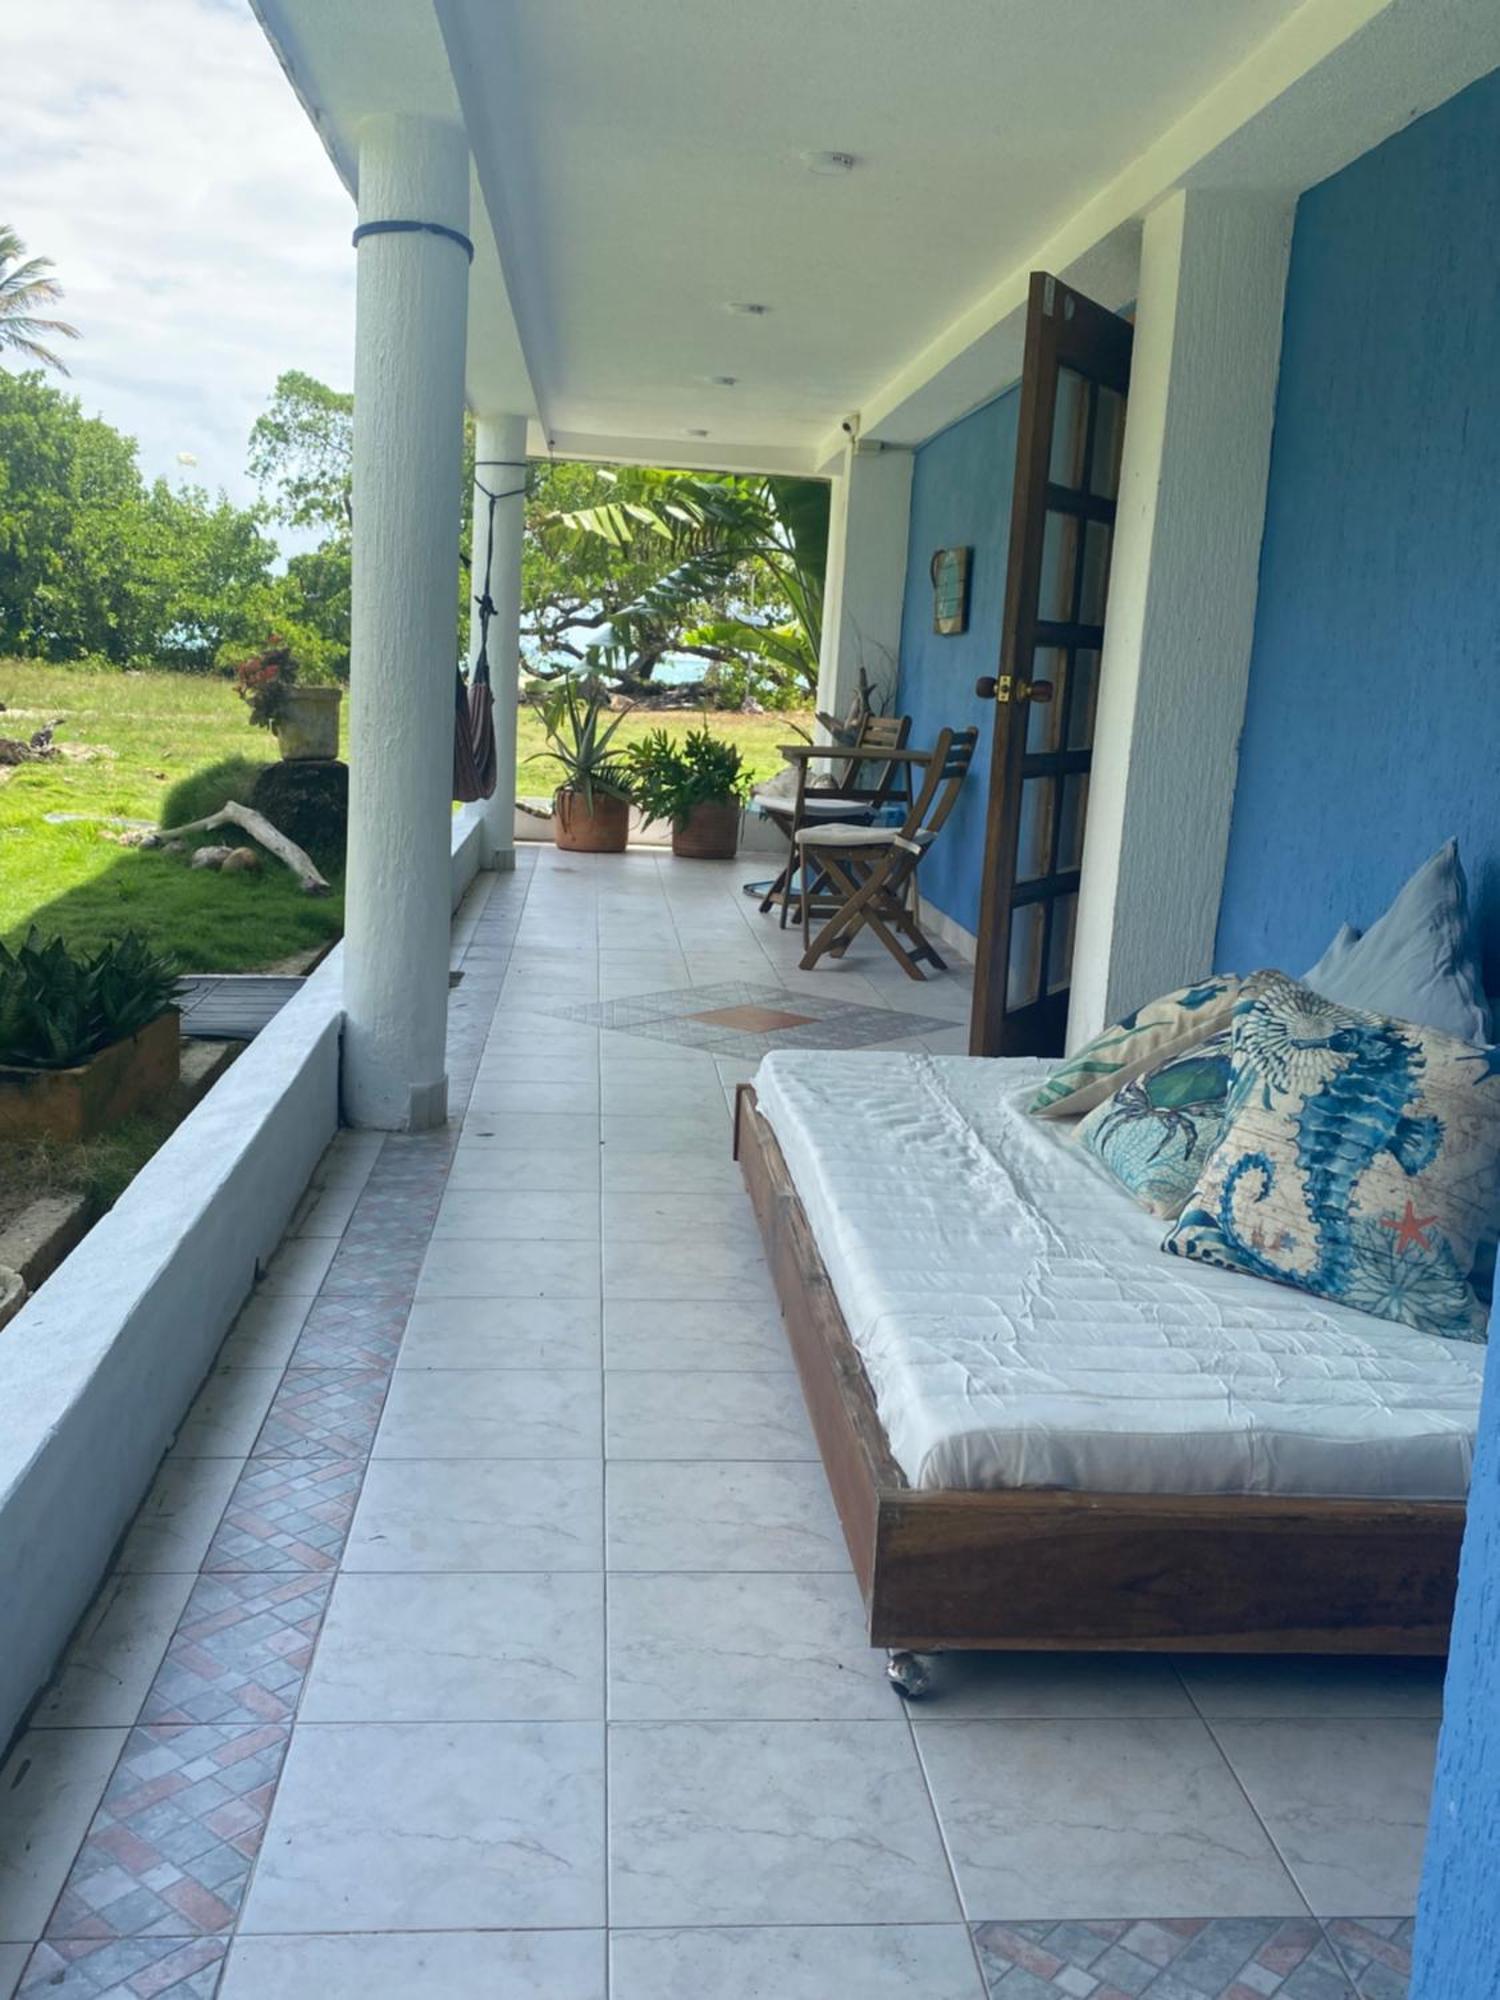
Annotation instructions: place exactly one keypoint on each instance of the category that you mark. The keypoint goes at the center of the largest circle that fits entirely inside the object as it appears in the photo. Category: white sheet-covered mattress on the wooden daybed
(1021, 1325)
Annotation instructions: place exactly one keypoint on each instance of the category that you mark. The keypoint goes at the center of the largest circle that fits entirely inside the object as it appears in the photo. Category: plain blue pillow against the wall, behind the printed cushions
(1417, 963)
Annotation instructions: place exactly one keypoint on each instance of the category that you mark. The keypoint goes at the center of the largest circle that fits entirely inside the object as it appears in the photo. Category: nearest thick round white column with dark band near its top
(409, 413)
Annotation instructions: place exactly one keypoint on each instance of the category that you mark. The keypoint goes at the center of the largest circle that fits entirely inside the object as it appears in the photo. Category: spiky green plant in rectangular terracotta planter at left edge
(85, 1039)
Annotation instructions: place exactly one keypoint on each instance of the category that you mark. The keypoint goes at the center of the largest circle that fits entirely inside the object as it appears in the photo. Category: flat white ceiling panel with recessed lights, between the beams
(653, 157)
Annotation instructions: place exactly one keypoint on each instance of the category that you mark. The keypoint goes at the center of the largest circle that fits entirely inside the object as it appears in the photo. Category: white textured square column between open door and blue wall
(1183, 599)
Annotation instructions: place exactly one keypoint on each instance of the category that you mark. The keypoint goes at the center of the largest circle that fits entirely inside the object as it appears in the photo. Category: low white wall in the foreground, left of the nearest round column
(99, 1369)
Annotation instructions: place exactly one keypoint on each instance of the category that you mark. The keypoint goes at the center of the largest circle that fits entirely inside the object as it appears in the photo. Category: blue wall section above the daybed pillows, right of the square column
(1373, 727)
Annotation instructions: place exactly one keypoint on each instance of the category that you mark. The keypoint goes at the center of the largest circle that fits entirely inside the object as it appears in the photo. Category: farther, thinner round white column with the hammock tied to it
(501, 469)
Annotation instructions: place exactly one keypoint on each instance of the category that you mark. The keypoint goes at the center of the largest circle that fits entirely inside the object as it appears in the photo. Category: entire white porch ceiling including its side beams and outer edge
(645, 163)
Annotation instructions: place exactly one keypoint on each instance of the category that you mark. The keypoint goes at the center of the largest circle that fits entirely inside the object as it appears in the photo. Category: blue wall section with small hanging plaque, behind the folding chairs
(961, 499)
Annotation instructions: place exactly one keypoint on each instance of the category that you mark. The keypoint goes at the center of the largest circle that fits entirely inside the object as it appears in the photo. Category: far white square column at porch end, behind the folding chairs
(867, 575)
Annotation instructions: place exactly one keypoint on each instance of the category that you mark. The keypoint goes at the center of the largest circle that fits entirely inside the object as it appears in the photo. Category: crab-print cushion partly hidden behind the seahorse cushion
(1159, 1129)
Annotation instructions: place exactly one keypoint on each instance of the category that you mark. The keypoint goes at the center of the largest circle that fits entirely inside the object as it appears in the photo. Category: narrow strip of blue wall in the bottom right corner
(1459, 1919)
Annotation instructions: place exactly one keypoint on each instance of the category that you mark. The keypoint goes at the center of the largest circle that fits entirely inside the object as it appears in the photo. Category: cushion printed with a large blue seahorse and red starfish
(1359, 1161)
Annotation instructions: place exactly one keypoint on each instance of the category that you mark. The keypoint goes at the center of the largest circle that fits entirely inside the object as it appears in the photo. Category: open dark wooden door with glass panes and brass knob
(1073, 407)
